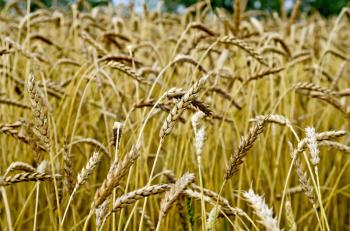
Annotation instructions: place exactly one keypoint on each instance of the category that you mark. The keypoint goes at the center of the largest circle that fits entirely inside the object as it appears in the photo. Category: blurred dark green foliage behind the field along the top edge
(325, 7)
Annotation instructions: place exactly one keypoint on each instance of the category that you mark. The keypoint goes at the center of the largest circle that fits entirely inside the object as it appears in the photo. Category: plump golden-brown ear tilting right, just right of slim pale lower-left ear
(113, 178)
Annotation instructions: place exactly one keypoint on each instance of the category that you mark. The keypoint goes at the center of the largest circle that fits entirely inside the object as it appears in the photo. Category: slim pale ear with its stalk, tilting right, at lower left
(82, 177)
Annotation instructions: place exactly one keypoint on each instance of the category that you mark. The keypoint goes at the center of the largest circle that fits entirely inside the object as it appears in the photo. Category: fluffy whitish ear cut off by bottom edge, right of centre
(262, 210)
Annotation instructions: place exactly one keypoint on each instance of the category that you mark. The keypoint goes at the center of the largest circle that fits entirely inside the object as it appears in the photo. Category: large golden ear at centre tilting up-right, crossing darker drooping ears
(181, 105)
